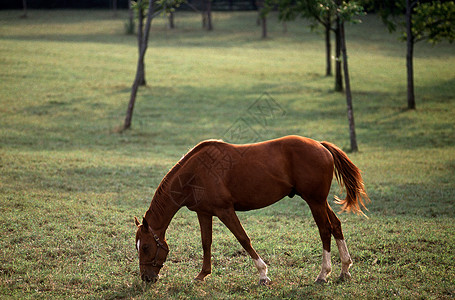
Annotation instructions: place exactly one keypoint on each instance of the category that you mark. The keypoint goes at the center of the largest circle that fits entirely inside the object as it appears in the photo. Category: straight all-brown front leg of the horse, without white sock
(205, 221)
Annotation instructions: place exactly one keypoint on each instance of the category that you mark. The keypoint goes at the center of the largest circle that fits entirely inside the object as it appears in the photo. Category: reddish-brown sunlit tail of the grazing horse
(348, 176)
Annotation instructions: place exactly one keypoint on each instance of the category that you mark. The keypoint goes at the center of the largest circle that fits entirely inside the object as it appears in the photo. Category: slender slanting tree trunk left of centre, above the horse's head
(140, 63)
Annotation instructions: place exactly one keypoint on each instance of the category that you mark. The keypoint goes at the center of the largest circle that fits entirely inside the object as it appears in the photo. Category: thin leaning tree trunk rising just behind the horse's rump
(350, 110)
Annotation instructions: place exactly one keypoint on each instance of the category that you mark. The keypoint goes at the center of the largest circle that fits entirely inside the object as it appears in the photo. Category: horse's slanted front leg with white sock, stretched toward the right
(230, 219)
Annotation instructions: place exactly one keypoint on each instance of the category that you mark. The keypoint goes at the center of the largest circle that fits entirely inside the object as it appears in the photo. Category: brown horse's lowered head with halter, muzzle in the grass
(151, 250)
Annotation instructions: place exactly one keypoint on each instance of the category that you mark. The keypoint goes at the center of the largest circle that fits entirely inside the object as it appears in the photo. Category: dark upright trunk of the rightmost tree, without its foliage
(409, 56)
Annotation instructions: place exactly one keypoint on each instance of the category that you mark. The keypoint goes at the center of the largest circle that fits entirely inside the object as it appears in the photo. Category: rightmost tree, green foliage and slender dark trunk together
(432, 21)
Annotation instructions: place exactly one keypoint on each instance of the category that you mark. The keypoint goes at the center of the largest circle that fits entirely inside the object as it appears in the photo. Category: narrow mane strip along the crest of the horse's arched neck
(162, 187)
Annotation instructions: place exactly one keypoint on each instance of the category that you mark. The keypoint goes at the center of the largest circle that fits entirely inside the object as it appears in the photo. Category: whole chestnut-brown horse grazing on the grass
(216, 179)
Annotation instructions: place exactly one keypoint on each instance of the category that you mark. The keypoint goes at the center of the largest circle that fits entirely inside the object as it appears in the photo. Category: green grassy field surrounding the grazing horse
(70, 184)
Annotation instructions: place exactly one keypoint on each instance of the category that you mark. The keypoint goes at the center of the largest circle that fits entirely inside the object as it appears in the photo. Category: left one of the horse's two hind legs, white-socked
(321, 217)
